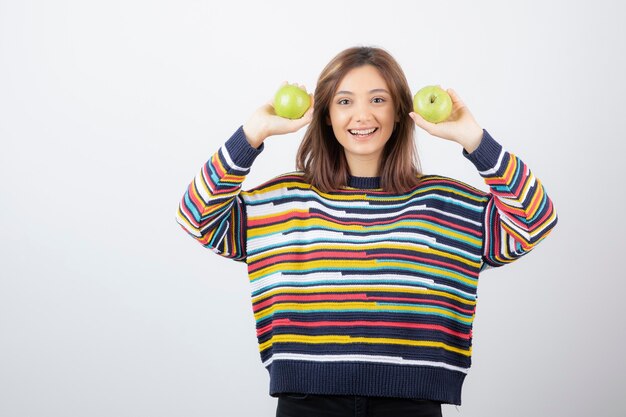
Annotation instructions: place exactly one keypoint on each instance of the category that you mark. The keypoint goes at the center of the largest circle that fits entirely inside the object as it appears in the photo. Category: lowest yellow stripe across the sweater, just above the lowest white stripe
(297, 338)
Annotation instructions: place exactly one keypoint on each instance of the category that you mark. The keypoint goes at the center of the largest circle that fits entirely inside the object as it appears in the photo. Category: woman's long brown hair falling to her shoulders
(322, 157)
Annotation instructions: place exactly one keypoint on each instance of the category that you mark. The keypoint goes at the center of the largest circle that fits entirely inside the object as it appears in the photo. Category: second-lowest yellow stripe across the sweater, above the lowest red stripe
(373, 306)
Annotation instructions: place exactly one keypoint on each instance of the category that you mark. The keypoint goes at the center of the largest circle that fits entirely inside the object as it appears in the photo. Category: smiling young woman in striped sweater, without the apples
(363, 271)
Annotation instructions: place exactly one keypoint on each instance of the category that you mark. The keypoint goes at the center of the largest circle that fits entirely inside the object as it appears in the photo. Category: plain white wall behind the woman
(109, 108)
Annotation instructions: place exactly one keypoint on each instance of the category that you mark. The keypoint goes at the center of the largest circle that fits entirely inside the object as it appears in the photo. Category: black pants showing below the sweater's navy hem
(308, 405)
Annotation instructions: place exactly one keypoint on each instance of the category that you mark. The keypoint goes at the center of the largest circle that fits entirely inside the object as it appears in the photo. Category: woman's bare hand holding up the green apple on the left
(265, 123)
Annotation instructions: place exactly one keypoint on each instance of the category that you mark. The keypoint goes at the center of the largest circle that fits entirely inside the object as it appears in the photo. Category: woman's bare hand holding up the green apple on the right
(460, 127)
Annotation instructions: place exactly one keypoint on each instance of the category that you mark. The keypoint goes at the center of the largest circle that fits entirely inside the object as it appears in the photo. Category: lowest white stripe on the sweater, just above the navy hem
(361, 358)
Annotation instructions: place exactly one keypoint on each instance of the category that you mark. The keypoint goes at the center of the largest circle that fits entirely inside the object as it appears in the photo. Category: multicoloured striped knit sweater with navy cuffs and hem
(360, 291)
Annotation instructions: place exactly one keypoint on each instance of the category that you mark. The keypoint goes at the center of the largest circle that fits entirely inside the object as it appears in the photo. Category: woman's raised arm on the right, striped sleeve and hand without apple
(519, 213)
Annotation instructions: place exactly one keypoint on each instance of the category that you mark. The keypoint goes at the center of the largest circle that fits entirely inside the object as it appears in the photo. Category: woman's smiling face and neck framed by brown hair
(362, 115)
